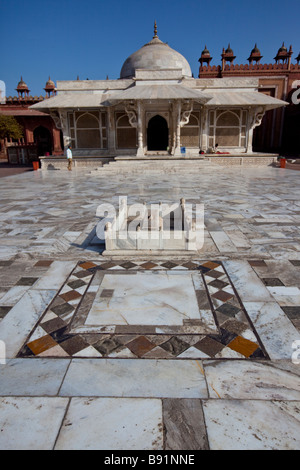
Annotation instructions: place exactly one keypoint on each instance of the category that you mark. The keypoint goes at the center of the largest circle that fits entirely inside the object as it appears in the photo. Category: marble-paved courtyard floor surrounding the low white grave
(192, 352)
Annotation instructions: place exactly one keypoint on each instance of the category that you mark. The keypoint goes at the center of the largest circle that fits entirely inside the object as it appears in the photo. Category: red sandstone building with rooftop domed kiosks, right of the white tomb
(279, 130)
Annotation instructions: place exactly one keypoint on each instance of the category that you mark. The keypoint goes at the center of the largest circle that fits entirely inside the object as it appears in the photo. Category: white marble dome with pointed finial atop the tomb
(155, 55)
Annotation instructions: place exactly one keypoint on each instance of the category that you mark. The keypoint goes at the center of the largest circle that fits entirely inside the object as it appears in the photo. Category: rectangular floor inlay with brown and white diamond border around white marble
(145, 309)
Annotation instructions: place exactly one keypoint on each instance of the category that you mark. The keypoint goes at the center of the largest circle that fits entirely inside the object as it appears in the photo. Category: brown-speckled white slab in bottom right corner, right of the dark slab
(271, 425)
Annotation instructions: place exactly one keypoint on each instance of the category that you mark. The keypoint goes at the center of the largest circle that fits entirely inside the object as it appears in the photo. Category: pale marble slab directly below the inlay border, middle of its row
(134, 378)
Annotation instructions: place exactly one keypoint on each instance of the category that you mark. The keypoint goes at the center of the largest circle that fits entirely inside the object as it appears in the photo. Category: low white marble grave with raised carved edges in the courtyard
(171, 227)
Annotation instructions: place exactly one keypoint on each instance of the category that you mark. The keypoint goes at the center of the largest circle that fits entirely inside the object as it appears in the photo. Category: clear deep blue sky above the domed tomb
(92, 39)
